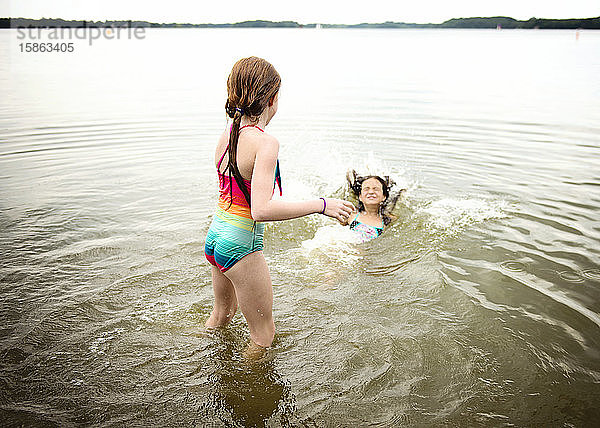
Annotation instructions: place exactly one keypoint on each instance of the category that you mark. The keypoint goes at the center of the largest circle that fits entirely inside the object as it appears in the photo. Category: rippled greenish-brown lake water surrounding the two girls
(480, 306)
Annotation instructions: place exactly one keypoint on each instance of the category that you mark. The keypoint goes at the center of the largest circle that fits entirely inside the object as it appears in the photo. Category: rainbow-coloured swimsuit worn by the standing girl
(233, 232)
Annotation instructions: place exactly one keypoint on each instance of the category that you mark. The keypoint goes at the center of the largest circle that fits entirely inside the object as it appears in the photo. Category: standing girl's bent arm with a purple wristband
(266, 209)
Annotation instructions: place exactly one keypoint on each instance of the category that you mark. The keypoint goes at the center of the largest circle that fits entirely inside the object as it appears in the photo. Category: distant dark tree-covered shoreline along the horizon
(498, 22)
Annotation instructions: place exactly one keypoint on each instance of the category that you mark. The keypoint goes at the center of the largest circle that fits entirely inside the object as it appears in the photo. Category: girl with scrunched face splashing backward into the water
(374, 205)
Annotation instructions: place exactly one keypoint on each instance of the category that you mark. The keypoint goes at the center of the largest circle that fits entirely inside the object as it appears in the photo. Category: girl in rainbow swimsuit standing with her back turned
(246, 159)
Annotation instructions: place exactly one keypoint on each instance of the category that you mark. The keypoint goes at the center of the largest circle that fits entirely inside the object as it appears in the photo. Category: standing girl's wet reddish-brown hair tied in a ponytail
(251, 85)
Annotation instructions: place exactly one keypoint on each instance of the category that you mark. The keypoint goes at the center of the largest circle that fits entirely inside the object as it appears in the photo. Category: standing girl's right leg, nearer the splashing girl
(252, 283)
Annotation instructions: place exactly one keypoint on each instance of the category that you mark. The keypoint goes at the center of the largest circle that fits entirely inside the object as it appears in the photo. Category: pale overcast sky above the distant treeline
(304, 12)
